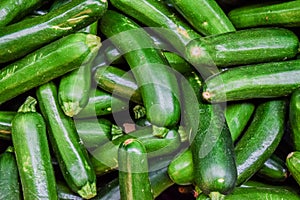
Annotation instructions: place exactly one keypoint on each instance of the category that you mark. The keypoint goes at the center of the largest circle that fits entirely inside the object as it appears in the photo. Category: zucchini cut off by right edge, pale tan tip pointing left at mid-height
(266, 80)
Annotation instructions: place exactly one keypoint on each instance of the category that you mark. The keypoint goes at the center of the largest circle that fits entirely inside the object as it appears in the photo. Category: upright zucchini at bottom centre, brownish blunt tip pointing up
(134, 182)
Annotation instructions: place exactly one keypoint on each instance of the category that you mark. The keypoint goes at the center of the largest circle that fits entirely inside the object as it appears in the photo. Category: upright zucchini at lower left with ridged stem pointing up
(32, 153)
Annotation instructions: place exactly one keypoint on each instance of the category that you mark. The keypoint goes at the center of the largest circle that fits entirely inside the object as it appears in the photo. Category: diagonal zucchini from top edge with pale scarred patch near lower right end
(169, 25)
